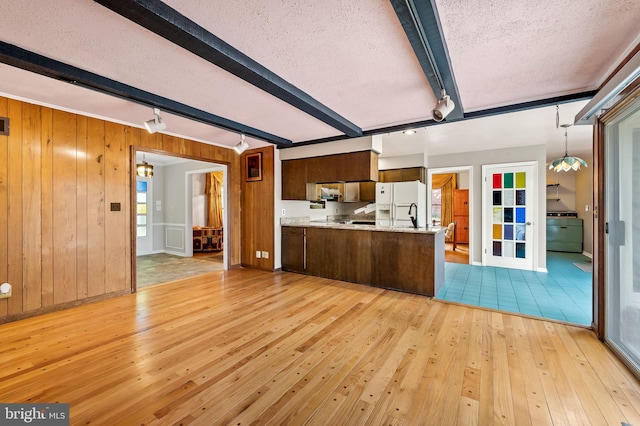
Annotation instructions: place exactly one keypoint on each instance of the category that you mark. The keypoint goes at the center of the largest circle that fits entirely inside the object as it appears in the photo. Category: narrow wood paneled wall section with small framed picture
(258, 213)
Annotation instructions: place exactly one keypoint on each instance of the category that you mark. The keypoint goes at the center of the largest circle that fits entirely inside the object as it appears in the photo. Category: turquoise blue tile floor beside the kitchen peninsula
(564, 293)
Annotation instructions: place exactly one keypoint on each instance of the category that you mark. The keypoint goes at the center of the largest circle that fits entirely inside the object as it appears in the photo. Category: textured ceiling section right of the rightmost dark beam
(505, 52)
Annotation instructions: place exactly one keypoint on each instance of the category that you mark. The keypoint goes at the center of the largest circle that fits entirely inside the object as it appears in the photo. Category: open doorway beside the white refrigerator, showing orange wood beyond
(450, 207)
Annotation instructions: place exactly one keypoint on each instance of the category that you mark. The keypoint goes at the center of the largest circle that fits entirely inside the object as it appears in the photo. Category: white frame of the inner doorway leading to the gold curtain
(189, 209)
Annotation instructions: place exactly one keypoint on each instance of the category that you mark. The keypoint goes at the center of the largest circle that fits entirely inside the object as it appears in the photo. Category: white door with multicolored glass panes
(509, 209)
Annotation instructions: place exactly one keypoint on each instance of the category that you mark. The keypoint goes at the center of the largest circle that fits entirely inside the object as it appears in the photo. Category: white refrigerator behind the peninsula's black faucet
(395, 203)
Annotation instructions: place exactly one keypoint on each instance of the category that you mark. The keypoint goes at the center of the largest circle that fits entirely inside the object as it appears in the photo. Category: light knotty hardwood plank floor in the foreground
(251, 347)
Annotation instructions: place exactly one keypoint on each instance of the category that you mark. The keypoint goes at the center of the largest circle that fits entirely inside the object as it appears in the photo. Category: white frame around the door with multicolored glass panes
(486, 219)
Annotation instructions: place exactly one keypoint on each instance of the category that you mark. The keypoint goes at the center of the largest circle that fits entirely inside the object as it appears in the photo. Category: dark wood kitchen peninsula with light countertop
(398, 258)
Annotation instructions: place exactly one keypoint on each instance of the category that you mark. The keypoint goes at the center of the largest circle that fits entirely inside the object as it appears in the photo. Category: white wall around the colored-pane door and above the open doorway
(509, 155)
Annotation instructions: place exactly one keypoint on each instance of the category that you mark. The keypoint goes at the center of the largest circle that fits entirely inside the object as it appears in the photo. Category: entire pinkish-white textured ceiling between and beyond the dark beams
(352, 56)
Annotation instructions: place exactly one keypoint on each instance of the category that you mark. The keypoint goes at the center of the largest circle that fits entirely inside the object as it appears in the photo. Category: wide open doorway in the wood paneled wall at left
(173, 236)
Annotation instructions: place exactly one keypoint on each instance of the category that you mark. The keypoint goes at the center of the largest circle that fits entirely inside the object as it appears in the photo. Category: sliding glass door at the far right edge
(622, 227)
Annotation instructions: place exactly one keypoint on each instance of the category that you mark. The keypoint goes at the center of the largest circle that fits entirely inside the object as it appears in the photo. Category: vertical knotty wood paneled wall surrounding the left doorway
(60, 243)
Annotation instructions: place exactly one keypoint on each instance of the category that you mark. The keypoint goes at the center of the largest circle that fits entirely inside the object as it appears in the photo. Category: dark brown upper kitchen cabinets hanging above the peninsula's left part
(359, 166)
